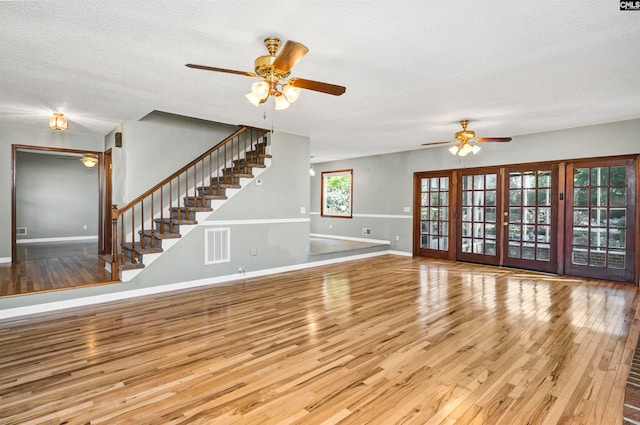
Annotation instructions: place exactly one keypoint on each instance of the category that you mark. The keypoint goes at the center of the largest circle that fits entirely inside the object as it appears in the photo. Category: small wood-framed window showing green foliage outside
(337, 193)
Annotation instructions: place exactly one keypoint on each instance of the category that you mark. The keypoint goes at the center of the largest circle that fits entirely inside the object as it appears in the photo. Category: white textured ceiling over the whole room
(412, 69)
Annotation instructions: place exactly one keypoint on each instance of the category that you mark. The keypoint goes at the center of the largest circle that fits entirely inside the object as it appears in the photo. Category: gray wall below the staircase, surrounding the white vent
(267, 225)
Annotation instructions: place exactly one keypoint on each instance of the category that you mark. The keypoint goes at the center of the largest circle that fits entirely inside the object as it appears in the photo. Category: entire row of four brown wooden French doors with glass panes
(577, 218)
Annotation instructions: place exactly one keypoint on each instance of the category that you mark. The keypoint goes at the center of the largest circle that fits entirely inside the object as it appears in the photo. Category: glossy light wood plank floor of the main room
(388, 340)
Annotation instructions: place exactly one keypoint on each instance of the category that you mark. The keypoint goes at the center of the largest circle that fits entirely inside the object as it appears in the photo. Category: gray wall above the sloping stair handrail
(157, 146)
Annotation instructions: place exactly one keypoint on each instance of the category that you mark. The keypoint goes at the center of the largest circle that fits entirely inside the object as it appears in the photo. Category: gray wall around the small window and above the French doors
(383, 184)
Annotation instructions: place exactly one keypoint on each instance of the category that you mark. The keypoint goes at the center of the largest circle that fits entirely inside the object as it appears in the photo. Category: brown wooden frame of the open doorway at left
(14, 163)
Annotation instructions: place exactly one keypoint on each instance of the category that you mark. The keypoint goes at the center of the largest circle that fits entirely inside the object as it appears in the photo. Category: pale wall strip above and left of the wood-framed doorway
(42, 137)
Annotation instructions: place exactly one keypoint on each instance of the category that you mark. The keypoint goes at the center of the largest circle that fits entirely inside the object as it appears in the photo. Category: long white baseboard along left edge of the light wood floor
(123, 295)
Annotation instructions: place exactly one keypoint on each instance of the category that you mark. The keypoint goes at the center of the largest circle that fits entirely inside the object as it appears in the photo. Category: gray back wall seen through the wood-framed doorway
(56, 198)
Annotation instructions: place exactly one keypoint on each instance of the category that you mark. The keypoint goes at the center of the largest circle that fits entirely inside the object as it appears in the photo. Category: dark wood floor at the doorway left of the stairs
(49, 266)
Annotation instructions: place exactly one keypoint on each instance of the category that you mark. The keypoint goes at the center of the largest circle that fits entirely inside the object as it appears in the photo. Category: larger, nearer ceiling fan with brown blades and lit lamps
(274, 71)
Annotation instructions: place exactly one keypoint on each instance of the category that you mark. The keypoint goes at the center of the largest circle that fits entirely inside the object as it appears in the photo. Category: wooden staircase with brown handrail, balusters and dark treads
(213, 169)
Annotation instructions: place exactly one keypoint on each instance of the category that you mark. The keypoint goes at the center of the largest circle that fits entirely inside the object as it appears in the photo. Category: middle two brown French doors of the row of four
(508, 216)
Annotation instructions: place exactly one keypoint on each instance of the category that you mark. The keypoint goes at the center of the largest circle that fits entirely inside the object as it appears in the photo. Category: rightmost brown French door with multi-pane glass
(601, 213)
